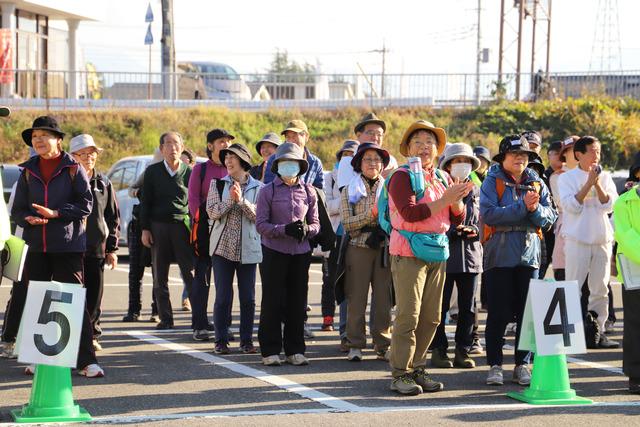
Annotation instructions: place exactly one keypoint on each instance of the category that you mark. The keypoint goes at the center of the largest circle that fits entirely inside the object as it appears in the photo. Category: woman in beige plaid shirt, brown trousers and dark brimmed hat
(365, 263)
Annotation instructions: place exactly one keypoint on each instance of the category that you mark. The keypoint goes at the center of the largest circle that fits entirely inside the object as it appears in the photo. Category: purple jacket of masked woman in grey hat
(278, 205)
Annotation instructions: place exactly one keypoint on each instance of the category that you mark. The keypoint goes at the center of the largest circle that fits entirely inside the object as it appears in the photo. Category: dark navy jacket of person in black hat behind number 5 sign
(68, 192)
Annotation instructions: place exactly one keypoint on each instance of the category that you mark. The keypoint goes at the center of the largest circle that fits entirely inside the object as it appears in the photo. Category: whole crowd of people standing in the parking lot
(402, 235)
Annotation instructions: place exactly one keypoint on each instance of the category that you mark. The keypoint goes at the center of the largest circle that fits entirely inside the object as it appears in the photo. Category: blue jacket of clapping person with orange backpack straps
(513, 248)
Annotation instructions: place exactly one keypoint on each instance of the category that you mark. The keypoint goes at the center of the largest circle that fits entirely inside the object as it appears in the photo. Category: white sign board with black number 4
(552, 321)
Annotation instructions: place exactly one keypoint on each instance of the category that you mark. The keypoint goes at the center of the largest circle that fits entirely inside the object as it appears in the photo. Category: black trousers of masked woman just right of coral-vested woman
(466, 284)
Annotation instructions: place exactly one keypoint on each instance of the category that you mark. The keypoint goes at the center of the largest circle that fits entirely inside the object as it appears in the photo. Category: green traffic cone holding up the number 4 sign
(550, 384)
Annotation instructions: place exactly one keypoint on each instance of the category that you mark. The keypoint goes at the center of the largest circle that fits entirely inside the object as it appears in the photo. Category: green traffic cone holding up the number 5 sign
(51, 398)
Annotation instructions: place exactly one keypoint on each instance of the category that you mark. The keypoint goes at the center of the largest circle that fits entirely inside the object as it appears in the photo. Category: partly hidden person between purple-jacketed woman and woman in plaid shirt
(329, 265)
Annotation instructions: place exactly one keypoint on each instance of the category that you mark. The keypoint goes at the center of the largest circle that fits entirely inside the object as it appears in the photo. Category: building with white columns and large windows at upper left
(36, 38)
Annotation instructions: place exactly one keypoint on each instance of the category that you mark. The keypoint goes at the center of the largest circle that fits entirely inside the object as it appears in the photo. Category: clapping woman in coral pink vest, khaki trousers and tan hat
(418, 284)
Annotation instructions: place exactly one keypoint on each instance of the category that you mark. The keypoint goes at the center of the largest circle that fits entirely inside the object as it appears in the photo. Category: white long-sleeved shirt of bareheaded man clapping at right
(586, 222)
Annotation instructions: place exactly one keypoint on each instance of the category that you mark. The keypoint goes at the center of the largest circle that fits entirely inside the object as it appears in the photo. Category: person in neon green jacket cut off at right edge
(626, 216)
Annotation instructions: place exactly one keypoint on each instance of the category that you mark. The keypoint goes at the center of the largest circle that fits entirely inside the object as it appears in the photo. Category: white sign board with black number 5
(50, 328)
